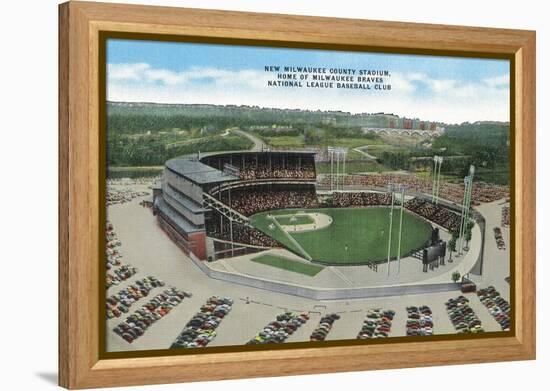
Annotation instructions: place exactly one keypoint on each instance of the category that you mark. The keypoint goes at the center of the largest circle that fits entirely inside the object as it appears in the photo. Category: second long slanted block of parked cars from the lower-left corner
(136, 324)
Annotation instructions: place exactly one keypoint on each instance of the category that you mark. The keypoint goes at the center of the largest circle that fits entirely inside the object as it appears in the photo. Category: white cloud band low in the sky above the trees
(412, 94)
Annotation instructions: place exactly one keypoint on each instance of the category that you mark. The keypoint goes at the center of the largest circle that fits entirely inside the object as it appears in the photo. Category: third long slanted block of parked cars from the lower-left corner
(201, 329)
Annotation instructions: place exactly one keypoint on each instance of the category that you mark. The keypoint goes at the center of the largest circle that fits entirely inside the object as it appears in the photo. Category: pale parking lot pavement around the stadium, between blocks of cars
(152, 253)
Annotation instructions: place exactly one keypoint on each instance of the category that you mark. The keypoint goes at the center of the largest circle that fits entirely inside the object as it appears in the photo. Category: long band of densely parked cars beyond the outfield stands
(481, 192)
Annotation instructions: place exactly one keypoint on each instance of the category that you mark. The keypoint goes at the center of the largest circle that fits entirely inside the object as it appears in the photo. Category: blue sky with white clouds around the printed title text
(435, 88)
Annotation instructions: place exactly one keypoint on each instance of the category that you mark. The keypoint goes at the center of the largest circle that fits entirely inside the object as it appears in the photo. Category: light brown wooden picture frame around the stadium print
(80, 156)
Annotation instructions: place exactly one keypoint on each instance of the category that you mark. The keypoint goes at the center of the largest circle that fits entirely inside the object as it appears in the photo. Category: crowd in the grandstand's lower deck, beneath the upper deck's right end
(251, 201)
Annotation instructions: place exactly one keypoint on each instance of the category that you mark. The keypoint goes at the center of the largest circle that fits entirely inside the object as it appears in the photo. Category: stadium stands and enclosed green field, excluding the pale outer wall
(226, 204)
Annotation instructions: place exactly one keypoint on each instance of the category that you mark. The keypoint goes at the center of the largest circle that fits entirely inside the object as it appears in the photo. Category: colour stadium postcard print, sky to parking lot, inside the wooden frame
(243, 213)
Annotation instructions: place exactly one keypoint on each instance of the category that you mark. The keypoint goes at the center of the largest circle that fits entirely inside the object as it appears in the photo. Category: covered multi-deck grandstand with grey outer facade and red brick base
(212, 196)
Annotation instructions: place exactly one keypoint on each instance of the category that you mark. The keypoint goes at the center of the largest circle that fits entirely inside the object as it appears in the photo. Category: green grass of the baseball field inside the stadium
(356, 235)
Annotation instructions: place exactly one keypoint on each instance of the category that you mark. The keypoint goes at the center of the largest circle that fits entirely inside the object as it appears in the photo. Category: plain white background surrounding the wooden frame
(28, 86)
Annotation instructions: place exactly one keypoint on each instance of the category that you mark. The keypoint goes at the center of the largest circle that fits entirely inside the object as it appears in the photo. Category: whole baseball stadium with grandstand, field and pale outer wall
(268, 209)
